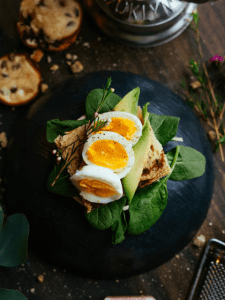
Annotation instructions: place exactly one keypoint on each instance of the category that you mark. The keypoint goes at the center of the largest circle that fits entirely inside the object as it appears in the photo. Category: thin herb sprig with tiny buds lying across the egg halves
(94, 125)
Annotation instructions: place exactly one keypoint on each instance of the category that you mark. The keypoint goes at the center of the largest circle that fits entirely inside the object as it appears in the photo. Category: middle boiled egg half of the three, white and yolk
(109, 150)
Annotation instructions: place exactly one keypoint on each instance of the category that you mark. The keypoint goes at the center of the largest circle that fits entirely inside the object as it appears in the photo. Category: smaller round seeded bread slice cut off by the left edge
(20, 79)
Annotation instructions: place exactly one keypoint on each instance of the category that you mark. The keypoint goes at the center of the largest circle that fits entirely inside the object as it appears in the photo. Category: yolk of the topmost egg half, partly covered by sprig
(124, 127)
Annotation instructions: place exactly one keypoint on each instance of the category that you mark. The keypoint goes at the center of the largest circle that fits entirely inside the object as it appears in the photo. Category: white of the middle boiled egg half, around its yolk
(108, 135)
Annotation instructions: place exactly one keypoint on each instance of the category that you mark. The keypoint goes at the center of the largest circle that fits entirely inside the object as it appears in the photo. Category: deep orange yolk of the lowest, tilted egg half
(97, 188)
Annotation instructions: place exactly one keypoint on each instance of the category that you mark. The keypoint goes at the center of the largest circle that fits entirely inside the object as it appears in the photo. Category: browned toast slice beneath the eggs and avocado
(155, 168)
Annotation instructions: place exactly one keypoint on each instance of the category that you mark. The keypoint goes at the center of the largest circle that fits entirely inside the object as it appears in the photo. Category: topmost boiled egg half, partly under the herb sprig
(123, 123)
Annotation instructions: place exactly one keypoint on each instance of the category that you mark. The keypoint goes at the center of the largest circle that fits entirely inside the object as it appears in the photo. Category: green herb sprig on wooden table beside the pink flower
(207, 104)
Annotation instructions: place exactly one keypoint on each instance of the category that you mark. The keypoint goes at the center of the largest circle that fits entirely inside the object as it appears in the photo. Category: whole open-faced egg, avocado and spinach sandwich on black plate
(112, 161)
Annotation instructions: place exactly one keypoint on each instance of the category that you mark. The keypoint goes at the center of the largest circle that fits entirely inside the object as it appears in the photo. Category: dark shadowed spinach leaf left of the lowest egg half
(63, 185)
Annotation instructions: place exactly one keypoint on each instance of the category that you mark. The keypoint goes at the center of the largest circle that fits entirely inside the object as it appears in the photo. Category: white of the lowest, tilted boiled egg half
(105, 175)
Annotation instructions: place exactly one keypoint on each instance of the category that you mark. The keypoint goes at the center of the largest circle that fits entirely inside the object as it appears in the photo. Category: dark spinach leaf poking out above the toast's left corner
(56, 127)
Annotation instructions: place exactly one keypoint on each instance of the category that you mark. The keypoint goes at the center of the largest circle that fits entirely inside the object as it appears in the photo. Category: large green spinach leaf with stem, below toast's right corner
(148, 204)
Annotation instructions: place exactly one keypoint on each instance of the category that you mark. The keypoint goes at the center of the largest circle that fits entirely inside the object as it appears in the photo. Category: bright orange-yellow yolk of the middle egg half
(108, 153)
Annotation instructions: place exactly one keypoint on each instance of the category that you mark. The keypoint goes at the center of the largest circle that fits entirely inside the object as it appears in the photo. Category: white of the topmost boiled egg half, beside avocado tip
(124, 115)
